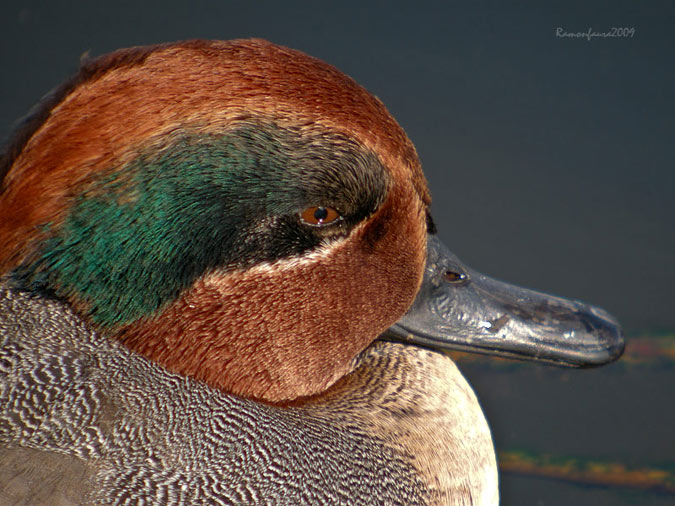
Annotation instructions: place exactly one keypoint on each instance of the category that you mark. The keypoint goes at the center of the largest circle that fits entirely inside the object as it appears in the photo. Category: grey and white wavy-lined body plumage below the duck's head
(85, 421)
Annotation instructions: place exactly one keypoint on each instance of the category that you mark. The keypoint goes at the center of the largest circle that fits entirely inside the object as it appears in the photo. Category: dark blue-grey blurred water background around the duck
(551, 162)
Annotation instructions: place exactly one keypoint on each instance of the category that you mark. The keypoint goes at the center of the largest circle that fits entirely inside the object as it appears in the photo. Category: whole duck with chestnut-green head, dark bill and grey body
(222, 284)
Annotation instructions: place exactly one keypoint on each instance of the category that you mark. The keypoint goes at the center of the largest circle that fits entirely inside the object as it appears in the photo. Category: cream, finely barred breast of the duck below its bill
(424, 409)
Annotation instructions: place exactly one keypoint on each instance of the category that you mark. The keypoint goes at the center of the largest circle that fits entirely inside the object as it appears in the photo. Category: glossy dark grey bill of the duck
(458, 308)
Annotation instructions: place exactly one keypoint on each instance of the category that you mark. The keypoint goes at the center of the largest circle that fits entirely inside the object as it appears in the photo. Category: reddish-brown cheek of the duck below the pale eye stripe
(277, 336)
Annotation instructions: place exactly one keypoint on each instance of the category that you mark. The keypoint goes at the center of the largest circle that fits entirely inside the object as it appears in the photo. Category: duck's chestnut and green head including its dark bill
(249, 216)
